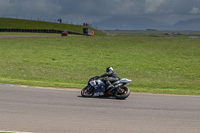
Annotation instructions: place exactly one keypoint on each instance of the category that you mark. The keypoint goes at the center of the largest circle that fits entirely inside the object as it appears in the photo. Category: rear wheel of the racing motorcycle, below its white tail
(122, 93)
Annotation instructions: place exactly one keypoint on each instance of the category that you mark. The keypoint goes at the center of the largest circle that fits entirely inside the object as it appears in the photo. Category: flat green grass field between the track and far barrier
(155, 65)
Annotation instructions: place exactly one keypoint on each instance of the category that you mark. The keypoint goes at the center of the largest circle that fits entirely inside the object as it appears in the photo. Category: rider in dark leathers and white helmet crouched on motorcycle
(111, 77)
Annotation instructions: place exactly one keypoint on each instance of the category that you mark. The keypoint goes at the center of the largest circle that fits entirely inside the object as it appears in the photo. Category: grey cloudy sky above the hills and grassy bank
(79, 11)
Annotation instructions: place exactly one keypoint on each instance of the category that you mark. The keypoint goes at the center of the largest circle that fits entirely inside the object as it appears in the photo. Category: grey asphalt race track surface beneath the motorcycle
(33, 109)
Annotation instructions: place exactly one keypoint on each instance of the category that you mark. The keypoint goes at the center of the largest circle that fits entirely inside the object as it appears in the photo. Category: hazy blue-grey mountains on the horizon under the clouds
(141, 23)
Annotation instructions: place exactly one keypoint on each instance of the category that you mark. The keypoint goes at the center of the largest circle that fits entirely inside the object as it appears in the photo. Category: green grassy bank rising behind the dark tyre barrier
(30, 24)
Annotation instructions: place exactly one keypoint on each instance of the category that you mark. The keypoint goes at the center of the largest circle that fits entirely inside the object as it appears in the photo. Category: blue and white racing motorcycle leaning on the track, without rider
(96, 88)
